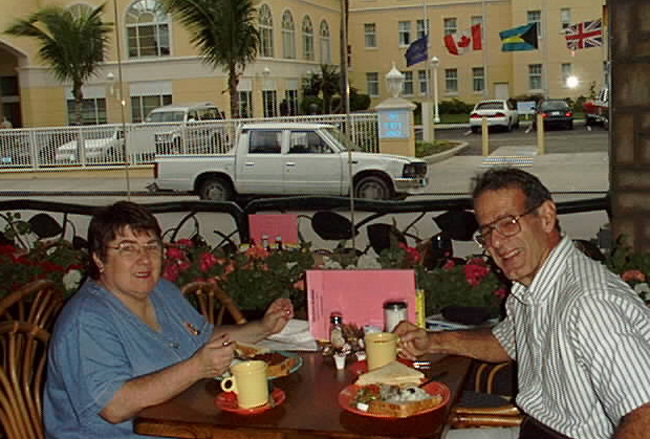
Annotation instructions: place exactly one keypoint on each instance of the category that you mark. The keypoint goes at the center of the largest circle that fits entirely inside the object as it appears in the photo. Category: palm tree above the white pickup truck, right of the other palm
(224, 33)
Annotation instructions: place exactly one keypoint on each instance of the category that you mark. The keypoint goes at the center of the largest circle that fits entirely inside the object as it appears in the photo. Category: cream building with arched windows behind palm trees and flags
(159, 64)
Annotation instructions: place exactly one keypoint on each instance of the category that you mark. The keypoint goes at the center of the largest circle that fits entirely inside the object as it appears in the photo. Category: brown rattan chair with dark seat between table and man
(484, 408)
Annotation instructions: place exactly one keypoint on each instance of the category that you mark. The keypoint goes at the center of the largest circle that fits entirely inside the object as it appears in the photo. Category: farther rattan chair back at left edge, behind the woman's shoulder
(37, 302)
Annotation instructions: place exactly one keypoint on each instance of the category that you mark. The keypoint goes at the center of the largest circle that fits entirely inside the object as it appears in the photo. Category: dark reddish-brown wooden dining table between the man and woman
(310, 409)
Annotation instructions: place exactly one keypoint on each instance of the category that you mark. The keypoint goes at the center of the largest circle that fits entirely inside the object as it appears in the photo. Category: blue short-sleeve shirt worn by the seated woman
(98, 344)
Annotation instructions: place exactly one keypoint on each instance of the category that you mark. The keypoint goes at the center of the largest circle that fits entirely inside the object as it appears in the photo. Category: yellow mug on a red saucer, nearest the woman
(249, 382)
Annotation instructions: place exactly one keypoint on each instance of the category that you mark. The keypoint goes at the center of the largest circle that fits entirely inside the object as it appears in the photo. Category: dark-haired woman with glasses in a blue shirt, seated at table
(129, 339)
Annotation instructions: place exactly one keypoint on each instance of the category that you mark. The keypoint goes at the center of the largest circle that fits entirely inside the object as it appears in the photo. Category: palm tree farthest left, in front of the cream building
(72, 45)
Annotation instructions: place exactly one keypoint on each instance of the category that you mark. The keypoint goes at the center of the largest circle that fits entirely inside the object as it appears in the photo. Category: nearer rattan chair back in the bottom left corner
(22, 372)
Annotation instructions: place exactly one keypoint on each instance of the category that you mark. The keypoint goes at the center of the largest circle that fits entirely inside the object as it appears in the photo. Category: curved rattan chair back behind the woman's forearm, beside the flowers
(206, 296)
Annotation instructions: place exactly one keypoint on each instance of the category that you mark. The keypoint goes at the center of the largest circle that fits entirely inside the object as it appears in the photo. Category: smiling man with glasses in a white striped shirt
(580, 335)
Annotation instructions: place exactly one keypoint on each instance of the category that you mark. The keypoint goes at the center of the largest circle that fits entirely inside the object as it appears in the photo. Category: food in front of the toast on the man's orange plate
(394, 400)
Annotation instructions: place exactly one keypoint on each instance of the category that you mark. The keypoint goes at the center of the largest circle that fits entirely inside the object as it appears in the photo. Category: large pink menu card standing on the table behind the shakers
(358, 295)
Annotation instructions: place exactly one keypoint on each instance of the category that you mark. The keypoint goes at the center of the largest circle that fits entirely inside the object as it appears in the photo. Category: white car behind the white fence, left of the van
(99, 147)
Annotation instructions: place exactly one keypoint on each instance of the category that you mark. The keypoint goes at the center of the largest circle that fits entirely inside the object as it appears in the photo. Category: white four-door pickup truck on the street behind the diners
(282, 159)
